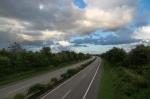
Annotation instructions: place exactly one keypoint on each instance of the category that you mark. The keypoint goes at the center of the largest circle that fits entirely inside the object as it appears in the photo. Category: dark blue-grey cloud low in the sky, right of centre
(121, 36)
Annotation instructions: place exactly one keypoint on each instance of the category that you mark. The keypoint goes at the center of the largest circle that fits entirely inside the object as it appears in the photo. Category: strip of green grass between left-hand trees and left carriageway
(28, 74)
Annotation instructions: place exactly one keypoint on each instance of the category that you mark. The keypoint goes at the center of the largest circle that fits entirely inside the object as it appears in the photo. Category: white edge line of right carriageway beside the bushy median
(63, 83)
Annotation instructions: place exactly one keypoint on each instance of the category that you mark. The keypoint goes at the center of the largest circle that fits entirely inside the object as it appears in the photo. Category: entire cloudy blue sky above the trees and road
(88, 26)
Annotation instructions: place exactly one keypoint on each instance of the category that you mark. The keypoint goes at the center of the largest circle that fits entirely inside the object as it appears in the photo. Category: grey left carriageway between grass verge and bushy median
(21, 86)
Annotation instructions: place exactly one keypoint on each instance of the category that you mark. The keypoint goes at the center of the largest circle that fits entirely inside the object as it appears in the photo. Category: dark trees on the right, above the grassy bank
(136, 57)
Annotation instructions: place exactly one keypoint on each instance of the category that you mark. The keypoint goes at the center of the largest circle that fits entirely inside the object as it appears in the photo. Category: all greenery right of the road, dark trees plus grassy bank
(126, 75)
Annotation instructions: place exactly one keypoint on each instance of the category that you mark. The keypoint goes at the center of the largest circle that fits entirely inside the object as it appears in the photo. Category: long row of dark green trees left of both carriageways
(16, 59)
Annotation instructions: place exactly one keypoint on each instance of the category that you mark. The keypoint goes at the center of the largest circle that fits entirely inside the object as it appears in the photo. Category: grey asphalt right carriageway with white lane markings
(84, 85)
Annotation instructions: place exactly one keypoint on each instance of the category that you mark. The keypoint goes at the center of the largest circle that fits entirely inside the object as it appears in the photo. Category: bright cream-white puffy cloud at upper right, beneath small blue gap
(108, 14)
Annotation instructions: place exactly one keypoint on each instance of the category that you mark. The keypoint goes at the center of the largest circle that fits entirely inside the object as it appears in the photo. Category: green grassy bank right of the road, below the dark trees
(124, 83)
